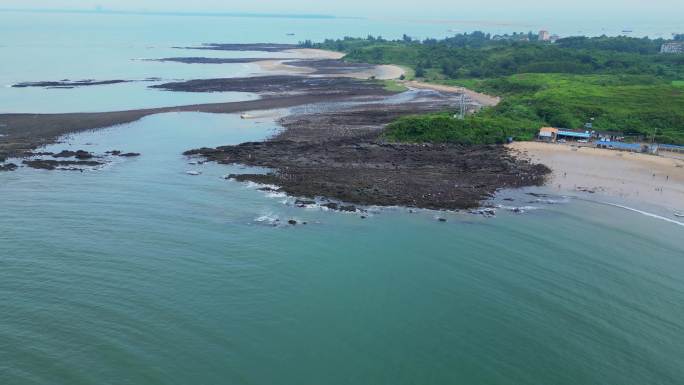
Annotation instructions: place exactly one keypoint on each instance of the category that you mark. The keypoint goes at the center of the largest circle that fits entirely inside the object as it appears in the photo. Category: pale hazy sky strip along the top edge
(503, 9)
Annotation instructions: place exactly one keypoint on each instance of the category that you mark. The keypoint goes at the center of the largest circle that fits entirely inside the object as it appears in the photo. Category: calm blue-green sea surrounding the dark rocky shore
(138, 273)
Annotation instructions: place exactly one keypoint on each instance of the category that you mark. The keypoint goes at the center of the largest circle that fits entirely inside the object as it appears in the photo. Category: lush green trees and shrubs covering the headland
(617, 83)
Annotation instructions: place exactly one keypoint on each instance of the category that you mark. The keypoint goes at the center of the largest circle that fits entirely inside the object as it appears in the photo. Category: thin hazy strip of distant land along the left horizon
(177, 13)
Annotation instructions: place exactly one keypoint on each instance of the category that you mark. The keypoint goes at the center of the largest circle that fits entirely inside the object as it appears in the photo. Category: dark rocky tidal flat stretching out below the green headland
(334, 148)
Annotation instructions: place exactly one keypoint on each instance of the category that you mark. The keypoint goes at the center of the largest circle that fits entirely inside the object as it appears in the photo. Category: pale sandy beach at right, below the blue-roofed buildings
(613, 176)
